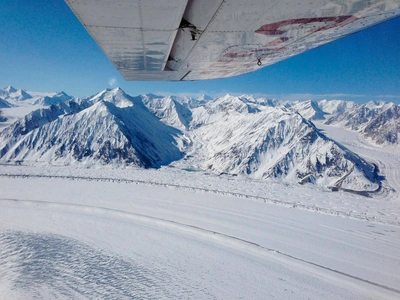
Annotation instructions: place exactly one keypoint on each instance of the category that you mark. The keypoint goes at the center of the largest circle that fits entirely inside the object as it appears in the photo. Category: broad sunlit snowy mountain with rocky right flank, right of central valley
(276, 143)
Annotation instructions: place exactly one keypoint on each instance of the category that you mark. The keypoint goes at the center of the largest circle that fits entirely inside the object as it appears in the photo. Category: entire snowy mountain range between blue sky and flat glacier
(246, 136)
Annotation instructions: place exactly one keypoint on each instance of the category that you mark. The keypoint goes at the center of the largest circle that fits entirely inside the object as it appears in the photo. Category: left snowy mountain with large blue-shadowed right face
(102, 128)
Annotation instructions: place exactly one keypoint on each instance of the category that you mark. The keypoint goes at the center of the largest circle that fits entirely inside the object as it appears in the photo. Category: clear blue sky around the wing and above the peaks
(45, 48)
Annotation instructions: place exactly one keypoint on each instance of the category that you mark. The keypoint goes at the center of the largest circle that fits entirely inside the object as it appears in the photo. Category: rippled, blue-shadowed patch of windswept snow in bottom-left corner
(52, 266)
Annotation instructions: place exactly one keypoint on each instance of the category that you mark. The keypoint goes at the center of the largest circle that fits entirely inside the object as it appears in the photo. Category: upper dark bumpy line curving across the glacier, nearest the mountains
(296, 205)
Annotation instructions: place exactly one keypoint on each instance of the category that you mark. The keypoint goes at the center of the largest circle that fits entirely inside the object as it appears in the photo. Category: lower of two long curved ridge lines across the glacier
(227, 240)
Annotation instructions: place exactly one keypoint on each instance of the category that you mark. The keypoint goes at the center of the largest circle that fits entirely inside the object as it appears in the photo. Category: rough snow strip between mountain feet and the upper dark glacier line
(382, 208)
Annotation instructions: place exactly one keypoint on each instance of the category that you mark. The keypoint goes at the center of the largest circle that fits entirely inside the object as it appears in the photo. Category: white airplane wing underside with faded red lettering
(206, 39)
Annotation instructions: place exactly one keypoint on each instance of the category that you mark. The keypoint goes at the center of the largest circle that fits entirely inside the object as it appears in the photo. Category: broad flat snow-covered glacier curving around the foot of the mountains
(123, 233)
